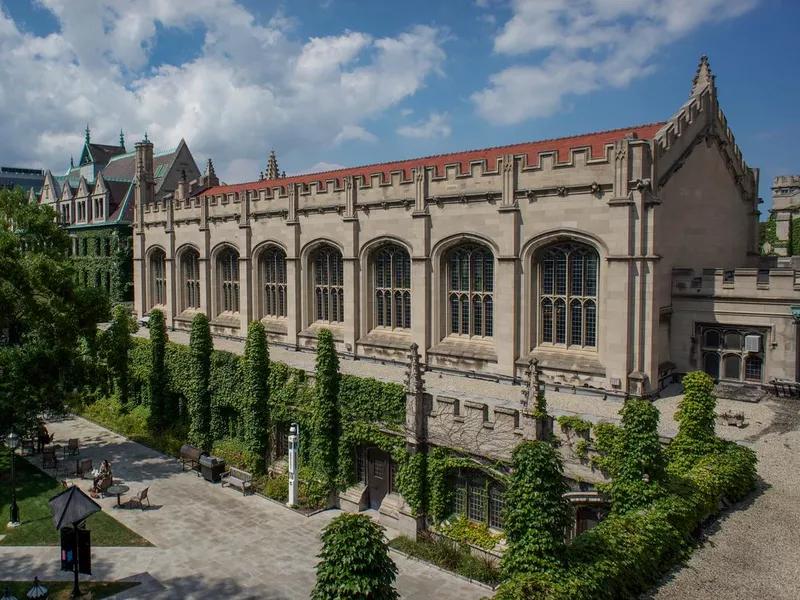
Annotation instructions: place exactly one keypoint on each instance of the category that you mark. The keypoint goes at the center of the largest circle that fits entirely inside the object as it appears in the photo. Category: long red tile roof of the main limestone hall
(596, 142)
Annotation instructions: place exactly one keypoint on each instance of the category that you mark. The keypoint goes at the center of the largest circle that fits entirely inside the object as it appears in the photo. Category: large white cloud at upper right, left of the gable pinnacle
(583, 45)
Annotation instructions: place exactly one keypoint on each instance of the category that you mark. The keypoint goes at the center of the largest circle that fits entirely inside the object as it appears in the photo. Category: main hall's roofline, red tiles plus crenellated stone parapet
(504, 176)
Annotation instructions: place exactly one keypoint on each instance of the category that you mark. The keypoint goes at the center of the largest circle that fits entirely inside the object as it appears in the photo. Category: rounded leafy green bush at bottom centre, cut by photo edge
(355, 562)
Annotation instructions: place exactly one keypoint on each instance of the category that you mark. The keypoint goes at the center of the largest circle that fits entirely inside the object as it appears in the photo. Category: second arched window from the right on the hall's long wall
(470, 295)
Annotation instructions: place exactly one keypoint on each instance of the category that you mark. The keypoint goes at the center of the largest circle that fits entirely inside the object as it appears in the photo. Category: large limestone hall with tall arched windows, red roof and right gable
(571, 251)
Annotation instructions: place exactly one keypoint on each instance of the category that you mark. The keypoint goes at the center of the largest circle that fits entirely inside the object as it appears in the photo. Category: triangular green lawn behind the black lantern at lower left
(34, 490)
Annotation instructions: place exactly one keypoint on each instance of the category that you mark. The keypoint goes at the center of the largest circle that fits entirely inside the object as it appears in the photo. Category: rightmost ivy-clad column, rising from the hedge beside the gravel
(696, 423)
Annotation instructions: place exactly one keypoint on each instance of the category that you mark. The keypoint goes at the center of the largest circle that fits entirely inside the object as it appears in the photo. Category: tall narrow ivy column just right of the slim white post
(325, 425)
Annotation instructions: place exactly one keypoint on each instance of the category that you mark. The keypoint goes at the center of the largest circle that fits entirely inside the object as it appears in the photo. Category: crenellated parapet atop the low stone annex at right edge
(736, 283)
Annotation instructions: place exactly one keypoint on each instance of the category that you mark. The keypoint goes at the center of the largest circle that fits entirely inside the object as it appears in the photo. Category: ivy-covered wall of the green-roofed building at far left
(103, 257)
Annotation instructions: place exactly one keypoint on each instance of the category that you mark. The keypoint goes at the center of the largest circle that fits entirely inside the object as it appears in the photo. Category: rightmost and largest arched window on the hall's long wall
(568, 282)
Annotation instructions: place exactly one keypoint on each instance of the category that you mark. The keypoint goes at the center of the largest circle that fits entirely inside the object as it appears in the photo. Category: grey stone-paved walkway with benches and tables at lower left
(209, 542)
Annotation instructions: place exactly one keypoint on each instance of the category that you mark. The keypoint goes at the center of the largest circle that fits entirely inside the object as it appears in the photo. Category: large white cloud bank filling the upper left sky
(253, 86)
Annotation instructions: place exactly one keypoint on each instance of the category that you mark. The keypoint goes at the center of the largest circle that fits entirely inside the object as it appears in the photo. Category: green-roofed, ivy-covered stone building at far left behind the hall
(94, 200)
